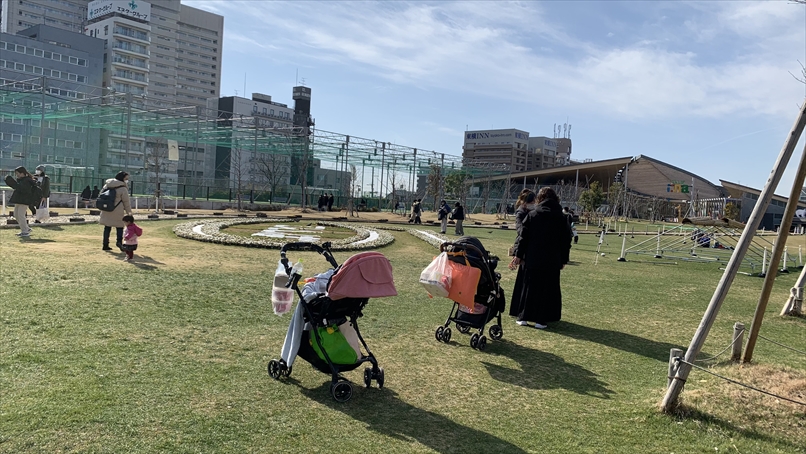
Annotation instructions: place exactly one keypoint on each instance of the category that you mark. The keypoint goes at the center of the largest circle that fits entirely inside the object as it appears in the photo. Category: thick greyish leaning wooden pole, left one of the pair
(670, 399)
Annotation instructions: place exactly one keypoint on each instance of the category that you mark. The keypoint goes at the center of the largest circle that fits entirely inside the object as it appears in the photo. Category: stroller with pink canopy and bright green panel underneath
(324, 326)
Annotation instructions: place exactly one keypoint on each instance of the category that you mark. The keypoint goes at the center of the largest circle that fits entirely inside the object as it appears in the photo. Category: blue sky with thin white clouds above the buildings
(706, 86)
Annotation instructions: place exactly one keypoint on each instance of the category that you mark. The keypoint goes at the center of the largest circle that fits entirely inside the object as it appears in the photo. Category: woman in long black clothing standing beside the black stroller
(541, 250)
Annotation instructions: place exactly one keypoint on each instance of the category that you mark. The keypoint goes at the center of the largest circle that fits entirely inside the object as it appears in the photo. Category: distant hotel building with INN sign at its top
(497, 147)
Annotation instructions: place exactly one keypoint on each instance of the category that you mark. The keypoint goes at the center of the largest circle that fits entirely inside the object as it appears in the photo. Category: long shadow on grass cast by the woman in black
(616, 339)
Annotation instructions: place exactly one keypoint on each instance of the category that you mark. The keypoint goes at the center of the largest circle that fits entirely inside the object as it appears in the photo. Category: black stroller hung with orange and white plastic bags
(489, 299)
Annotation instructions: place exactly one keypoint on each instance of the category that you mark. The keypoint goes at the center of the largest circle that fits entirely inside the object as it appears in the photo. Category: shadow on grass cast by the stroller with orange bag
(542, 370)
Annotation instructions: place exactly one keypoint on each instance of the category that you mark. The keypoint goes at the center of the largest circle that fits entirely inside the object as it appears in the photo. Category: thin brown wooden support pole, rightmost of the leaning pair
(778, 249)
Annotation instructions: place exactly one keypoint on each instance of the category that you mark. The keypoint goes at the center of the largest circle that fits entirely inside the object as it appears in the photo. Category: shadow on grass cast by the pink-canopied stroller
(383, 412)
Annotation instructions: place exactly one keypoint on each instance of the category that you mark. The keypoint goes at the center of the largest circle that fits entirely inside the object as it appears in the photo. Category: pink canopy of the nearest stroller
(364, 275)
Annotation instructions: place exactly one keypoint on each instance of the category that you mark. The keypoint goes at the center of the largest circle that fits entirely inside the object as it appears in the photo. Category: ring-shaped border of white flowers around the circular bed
(209, 230)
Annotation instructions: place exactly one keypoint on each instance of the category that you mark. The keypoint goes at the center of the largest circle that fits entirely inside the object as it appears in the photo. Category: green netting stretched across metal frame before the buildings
(138, 117)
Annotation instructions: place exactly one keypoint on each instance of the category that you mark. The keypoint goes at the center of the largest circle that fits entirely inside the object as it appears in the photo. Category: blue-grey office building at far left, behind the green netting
(63, 66)
